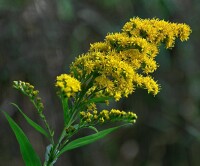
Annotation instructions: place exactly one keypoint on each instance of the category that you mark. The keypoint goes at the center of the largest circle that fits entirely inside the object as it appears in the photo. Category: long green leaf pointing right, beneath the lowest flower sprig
(87, 139)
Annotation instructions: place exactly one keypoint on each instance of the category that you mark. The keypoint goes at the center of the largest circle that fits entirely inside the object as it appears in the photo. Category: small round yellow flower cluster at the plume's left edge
(67, 85)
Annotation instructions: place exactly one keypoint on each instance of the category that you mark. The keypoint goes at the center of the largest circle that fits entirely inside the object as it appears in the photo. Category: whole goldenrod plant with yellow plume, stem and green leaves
(111, 69)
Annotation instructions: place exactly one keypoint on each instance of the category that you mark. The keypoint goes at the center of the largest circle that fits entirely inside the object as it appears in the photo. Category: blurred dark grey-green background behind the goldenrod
(40, 38)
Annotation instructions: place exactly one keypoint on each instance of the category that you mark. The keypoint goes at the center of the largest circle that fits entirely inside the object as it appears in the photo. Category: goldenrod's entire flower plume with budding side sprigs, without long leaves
(110, 69)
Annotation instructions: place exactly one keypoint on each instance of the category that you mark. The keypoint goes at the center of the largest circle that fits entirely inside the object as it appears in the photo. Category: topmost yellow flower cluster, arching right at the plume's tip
(156, 31)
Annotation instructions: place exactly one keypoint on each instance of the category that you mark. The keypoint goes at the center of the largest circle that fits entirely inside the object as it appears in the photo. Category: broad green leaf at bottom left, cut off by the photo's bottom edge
(29, 155)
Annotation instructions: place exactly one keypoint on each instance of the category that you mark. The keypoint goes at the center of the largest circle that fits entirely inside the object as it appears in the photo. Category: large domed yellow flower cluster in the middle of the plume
(111, 76)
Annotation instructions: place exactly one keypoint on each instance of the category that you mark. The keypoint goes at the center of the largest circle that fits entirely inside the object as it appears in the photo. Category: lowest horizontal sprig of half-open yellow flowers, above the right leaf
(107, 116)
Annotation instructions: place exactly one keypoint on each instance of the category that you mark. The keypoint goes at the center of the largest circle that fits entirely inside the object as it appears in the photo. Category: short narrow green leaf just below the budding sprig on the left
(32, 123)
